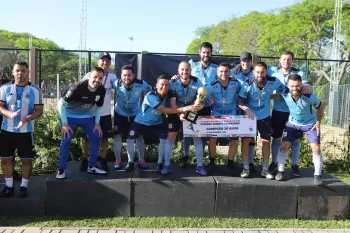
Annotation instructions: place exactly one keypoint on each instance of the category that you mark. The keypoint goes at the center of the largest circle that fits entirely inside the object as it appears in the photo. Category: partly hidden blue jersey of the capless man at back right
(280, 105)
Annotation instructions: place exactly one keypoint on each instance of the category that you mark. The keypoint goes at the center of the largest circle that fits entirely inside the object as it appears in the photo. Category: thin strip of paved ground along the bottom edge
(127, 230)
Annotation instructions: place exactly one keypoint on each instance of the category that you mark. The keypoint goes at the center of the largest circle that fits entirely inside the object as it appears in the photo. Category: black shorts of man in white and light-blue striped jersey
(10, 141)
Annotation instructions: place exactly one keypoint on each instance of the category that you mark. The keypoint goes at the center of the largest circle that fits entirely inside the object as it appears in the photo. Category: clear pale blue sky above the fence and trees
(156, 25)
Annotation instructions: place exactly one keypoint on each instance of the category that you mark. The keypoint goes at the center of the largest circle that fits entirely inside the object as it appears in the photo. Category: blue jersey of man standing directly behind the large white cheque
(225, 98)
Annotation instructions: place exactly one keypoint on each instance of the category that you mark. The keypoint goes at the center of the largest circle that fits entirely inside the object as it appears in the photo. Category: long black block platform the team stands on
(181, 193)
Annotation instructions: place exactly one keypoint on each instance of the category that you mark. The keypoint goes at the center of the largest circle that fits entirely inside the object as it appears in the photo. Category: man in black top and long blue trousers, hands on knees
(75, 109)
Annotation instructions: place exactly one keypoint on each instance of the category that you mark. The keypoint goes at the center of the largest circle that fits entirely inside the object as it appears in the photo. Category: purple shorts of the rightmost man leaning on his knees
(292, 132)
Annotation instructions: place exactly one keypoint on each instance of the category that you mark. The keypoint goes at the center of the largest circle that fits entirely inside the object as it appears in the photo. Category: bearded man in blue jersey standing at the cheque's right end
(254, 99)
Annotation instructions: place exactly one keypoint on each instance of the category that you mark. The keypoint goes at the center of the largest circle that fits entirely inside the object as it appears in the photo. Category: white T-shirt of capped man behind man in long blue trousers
(107, 83)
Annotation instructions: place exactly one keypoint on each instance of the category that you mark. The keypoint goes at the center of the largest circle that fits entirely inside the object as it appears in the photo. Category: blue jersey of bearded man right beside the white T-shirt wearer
(127, 100)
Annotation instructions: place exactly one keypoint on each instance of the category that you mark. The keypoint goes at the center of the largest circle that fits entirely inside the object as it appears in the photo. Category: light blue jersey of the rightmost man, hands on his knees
(301, 113)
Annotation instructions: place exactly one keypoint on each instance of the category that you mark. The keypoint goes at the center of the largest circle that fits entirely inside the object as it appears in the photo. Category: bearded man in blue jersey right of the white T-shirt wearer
(128, 93)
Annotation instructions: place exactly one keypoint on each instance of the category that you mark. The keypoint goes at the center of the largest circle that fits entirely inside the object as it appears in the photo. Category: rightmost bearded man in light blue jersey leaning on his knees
(301, 121)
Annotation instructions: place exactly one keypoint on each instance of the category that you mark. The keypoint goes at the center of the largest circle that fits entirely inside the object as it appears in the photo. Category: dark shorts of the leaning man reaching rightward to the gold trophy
(136, 129)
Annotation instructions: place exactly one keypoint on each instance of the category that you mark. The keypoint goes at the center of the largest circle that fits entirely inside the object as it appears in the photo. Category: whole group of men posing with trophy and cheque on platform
(279, 100)
